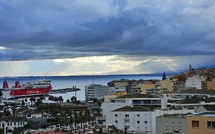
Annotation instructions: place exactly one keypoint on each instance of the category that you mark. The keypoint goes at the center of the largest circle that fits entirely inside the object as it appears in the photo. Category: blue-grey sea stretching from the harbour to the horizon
(60, 82)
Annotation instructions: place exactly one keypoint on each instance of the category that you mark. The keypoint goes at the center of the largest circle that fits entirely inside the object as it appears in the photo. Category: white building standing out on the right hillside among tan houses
(194, 82)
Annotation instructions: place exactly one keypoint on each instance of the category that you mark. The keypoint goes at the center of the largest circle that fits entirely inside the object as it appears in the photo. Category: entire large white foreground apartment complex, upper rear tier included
(130, 113)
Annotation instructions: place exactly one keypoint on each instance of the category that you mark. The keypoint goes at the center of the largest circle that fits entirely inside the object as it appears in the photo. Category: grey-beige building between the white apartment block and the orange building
(171, 123)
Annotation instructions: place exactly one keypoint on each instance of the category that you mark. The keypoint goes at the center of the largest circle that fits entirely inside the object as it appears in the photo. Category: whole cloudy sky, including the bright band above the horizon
(90, 37)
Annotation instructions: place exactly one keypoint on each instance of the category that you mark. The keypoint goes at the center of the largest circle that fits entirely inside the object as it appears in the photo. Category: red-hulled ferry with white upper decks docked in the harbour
(40, 87)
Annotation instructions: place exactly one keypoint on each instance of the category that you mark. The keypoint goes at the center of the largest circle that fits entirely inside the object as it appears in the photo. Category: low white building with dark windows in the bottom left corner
(10, 123)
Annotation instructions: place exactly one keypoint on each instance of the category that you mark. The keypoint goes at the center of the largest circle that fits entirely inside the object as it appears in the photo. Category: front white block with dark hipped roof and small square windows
(133, 119)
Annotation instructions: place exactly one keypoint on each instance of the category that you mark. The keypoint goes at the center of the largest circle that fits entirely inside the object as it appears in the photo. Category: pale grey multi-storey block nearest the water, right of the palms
(96, 91)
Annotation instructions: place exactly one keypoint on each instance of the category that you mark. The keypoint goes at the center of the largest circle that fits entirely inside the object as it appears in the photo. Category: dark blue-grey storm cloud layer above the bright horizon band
(47, 29)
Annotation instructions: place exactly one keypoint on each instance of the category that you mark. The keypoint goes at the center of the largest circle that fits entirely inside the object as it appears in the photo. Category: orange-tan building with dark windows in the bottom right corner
(201, 123)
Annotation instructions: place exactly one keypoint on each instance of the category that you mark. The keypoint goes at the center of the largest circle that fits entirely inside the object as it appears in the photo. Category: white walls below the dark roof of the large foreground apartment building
(138, 122)
